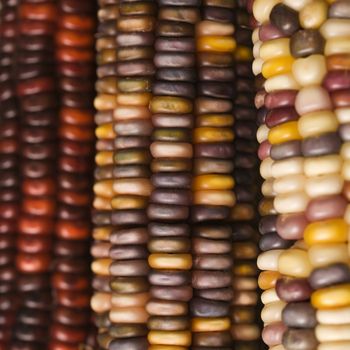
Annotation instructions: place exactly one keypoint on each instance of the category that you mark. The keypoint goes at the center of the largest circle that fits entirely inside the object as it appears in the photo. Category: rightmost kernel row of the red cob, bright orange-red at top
(74, 46)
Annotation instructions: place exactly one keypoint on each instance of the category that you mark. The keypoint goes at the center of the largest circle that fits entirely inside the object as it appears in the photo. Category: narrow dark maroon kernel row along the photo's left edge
(9, 183)
